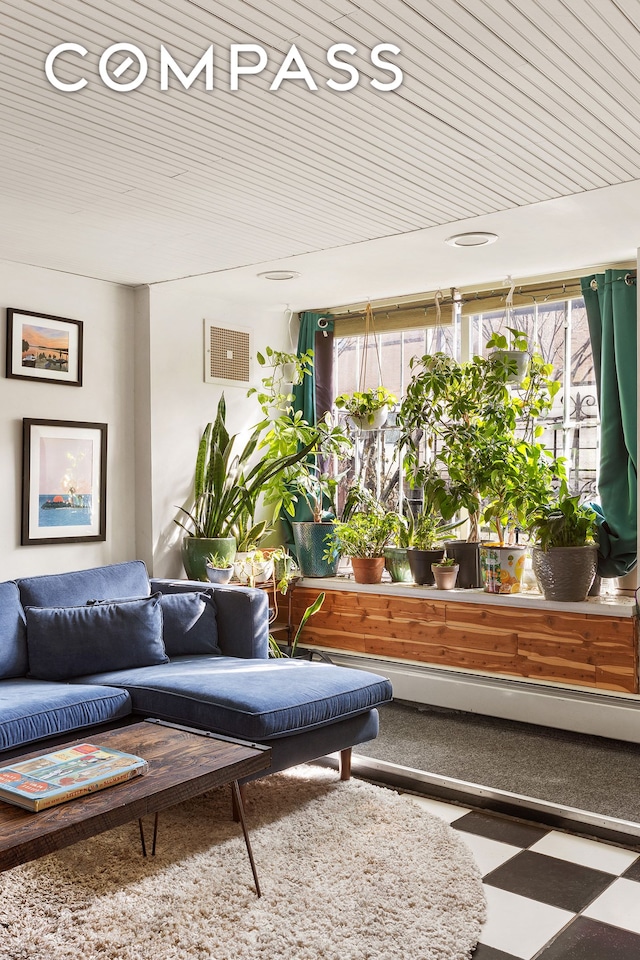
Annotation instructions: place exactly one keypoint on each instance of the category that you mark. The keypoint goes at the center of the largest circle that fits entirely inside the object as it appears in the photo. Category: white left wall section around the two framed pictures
(105, 397)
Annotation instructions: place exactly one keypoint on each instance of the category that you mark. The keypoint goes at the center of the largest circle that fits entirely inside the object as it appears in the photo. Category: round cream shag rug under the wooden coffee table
(349, 871)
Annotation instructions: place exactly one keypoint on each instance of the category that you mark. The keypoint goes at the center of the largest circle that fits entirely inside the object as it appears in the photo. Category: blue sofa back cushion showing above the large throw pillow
(113, 582)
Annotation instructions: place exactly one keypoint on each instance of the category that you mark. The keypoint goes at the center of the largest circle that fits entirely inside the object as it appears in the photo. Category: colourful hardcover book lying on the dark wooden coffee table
(54, 778)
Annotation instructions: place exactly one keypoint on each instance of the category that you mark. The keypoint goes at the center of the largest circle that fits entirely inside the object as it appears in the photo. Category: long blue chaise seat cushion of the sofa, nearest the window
(249, 699)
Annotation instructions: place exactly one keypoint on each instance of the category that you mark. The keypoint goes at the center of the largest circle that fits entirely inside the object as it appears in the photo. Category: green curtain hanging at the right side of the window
(611, 303)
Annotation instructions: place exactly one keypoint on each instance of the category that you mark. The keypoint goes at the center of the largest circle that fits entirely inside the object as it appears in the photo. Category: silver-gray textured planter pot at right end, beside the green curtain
(565, 573)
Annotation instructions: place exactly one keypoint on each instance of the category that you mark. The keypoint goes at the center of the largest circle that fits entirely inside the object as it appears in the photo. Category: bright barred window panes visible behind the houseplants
(560, 331)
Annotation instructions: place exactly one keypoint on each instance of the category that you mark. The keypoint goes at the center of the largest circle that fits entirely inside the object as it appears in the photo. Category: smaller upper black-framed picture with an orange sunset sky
(43, 347)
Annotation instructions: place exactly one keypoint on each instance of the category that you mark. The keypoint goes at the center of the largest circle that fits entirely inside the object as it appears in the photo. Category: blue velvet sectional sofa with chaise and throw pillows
(108, 646)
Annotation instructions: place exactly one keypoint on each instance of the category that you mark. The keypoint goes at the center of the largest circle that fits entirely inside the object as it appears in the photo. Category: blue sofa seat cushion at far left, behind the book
(33, 709)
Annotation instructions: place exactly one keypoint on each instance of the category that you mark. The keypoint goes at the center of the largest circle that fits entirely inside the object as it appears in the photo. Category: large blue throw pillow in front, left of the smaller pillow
(66, 642)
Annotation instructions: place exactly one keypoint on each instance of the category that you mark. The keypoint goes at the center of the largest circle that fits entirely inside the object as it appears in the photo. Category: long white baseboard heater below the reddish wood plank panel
(601, 714)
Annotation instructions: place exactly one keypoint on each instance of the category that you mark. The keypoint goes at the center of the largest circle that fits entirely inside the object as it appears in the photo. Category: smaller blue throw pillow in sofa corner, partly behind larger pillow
(190, 623)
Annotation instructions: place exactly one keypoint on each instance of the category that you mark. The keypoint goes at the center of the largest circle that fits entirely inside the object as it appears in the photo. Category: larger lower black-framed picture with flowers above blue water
(64, 481)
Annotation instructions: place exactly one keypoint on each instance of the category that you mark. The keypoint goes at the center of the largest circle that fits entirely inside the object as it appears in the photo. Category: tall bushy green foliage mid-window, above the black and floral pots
(484, 453)
